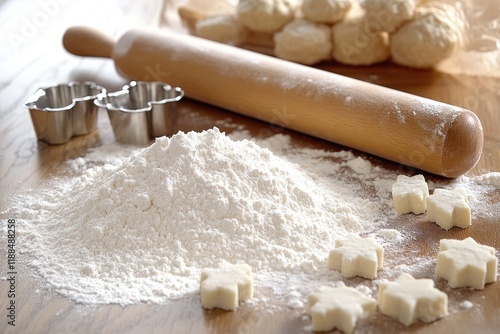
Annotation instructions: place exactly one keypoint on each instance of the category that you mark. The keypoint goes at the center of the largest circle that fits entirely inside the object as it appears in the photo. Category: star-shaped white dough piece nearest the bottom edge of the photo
(340, 307)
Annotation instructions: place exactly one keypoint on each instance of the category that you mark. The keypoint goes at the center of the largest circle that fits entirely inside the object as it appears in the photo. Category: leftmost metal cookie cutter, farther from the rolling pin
(63, 111)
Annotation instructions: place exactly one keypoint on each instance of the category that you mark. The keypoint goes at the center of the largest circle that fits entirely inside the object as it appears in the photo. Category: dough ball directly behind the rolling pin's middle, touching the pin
(303, 42)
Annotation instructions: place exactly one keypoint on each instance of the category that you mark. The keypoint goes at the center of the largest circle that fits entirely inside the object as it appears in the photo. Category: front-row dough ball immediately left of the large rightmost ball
(355, 44)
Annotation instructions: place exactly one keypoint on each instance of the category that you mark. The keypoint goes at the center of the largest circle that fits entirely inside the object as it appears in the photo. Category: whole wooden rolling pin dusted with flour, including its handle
(411, 130)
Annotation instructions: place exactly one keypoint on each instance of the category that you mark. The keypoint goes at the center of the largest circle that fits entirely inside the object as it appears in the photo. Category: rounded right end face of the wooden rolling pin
(463, 145)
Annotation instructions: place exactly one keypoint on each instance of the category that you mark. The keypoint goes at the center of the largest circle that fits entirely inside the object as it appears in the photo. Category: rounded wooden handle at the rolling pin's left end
(88, 42)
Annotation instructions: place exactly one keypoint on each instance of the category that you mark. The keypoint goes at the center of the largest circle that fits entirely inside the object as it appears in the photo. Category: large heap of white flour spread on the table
(140, 225)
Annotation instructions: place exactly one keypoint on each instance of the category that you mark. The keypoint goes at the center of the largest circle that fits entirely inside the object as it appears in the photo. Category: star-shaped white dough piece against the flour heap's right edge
(356, 256)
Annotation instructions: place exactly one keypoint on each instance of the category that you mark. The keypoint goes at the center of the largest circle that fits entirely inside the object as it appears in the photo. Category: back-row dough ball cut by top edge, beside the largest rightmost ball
(387, 15)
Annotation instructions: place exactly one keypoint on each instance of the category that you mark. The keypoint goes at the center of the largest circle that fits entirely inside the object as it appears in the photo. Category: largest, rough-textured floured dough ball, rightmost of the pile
(434, 34)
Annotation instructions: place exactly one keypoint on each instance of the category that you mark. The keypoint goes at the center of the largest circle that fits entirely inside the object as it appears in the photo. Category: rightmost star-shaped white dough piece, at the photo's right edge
(465, 263)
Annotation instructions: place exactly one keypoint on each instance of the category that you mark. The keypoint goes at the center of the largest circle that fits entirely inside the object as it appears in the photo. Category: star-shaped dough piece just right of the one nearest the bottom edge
(408, 300)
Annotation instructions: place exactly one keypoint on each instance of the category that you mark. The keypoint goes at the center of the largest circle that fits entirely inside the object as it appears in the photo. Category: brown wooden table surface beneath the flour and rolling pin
(31, 56)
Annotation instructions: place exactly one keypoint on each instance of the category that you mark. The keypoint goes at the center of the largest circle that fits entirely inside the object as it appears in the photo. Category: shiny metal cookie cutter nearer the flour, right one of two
(141, 111)
